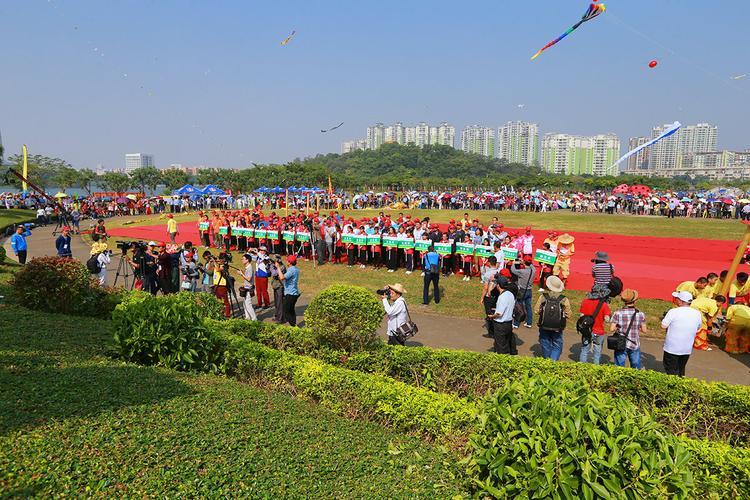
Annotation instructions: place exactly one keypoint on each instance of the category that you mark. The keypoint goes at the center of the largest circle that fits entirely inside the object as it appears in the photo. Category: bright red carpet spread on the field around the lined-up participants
(653, 266)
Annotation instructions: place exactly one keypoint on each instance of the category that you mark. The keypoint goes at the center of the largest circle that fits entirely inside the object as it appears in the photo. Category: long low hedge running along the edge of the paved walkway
(687, 406)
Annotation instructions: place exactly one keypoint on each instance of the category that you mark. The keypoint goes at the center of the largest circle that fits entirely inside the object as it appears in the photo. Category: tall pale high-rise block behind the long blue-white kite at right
(667, 154)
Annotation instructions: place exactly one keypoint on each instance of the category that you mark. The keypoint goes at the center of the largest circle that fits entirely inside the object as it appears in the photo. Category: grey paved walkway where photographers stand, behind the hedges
(467, 334)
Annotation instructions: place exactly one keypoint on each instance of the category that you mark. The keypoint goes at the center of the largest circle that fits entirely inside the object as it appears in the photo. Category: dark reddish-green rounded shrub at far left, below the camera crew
(62, 285)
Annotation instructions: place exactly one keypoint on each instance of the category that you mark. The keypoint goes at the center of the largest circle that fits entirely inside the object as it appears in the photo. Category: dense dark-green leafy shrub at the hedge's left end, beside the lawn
(168, 330)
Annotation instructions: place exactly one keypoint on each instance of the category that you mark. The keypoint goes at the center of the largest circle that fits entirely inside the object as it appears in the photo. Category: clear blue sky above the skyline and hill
(207, 82)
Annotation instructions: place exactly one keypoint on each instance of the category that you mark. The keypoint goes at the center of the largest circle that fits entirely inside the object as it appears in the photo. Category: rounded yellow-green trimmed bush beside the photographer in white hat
(345, 317)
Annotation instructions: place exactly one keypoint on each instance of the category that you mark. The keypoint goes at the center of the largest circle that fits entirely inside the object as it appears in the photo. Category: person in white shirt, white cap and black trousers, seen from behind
(682, 324)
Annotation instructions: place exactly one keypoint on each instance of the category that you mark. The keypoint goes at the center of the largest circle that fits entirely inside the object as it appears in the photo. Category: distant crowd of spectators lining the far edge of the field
(633, 200)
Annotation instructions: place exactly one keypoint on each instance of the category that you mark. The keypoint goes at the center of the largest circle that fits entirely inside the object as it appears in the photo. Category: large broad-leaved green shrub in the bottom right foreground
(542, 438)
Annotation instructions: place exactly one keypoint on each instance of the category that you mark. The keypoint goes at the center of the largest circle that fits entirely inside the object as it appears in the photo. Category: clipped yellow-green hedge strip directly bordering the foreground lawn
(350, 393)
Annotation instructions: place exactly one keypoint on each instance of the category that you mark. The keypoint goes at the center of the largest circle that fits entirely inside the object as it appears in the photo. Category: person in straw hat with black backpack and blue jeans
(553, 310)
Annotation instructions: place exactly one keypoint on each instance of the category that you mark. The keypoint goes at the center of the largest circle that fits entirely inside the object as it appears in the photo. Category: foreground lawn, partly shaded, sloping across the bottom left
(74, 422)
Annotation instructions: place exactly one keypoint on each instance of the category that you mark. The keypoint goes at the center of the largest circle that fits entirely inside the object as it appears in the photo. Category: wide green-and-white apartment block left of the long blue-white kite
(576, 155)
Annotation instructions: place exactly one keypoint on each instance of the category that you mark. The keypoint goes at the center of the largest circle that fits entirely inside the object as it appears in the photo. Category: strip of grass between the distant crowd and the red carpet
(562, 220)
